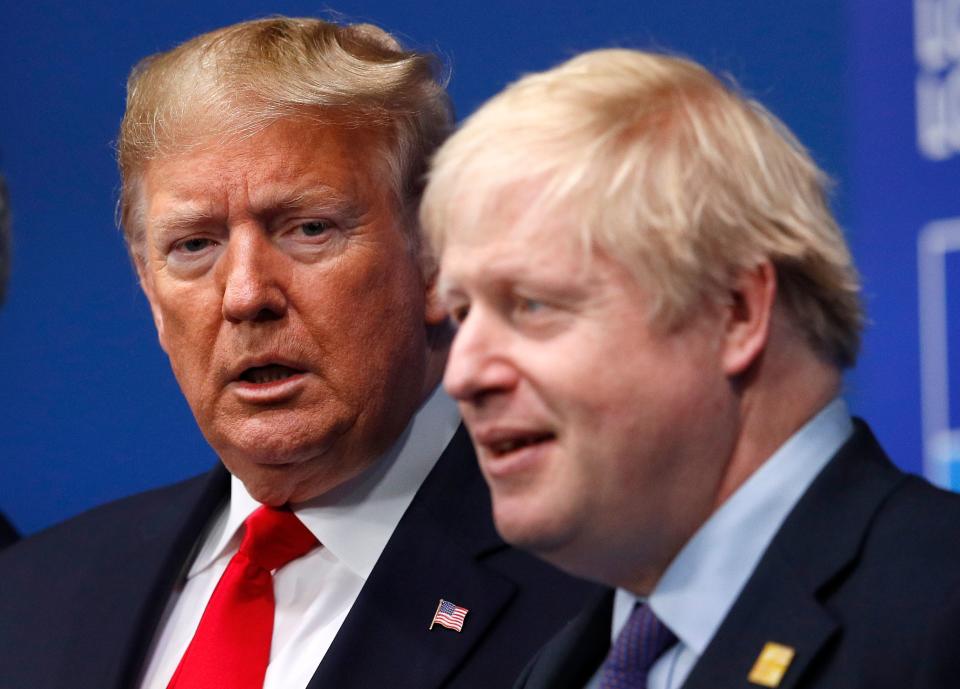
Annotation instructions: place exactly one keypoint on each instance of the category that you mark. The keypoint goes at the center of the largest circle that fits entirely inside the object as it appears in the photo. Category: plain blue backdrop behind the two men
(88, 408)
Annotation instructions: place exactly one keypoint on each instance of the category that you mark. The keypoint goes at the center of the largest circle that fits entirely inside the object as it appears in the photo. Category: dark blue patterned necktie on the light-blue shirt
(639, 644)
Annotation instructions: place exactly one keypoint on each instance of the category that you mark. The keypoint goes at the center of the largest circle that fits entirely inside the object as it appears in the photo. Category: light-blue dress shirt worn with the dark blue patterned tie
(704, 580)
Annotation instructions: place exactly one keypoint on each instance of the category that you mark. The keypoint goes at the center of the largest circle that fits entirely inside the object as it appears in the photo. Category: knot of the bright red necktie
(274, 537)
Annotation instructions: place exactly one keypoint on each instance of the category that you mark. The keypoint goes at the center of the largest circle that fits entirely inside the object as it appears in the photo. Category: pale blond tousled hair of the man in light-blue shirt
(666, 169)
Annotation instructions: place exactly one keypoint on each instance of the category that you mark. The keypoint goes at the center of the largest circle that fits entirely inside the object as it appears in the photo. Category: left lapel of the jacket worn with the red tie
(130, 583)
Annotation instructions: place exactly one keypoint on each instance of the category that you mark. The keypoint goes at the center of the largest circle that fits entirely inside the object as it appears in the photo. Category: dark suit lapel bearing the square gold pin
(782, 601)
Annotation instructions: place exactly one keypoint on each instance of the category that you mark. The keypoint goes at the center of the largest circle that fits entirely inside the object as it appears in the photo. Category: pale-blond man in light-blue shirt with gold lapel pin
(654, 308)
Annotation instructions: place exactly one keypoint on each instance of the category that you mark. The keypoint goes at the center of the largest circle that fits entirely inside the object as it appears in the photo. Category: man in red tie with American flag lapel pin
(271, 174)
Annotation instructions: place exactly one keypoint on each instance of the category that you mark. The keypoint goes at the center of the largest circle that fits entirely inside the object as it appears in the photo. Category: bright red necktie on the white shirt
(231, 647)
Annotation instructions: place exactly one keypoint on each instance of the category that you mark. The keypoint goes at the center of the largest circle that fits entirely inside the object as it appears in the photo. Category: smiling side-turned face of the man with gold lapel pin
(603, 440)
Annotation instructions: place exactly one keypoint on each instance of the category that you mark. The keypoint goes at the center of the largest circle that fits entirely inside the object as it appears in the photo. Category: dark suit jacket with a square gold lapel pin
(851, 581)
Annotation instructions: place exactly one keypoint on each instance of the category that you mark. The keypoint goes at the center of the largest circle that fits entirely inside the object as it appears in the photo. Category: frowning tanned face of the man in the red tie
(288, 301)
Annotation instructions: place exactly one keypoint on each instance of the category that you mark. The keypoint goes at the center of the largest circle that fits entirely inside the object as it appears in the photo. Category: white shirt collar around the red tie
(355, 520)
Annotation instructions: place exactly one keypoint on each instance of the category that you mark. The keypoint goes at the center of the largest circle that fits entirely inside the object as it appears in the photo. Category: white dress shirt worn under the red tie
(315, 592)
